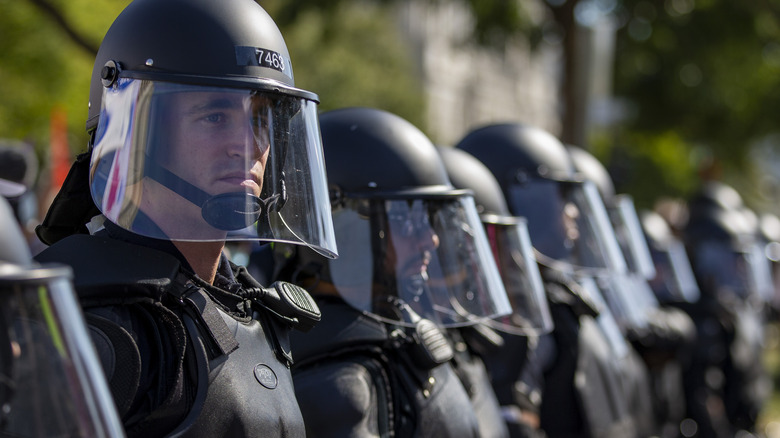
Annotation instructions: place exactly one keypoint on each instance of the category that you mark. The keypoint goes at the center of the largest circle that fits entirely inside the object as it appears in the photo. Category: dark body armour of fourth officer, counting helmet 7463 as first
(583, 394)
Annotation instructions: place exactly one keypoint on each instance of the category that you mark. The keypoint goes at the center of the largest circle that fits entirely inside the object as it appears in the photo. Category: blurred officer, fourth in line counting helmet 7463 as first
(582, 392)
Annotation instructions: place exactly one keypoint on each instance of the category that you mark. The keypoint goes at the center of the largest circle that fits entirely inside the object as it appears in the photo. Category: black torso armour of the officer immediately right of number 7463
(355, 376)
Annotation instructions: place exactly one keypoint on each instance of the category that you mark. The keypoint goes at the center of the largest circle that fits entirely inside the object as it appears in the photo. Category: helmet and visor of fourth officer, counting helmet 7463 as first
(566, 217)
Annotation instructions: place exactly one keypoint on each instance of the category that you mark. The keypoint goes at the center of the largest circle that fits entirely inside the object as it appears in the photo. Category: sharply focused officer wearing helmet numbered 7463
(197, 131)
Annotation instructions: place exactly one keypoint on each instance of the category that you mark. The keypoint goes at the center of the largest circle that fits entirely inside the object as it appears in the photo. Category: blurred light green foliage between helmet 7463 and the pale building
(355, 58)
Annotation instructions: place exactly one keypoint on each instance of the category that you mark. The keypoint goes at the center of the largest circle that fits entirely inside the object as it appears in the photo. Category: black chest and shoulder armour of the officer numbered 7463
(183, 358)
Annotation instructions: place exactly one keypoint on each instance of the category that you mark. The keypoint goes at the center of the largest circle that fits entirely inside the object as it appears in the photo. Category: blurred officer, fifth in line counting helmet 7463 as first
(660, 335)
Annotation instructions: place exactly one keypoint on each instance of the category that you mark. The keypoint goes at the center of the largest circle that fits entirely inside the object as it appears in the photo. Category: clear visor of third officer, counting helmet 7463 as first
(517, 266)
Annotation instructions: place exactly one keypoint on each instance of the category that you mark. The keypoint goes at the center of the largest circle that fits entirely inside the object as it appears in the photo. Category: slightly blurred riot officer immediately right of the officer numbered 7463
(413, 260)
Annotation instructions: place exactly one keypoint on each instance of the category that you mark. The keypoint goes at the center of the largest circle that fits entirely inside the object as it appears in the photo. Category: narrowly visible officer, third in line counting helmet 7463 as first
(519, 391)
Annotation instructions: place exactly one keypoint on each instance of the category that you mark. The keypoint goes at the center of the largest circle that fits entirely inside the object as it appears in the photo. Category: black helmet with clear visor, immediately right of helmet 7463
(407, 237)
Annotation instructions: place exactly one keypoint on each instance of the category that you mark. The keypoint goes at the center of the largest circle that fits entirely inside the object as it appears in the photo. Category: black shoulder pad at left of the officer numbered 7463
(102, 263)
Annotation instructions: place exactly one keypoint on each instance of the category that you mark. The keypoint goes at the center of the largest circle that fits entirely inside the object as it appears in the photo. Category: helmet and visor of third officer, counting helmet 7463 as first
(511, 244)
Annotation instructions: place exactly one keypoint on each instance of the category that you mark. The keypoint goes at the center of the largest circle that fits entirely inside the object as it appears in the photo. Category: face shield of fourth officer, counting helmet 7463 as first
(568, 223)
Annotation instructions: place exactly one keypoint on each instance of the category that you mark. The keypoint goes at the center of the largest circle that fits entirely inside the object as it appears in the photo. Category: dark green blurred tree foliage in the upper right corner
(709, 71)
